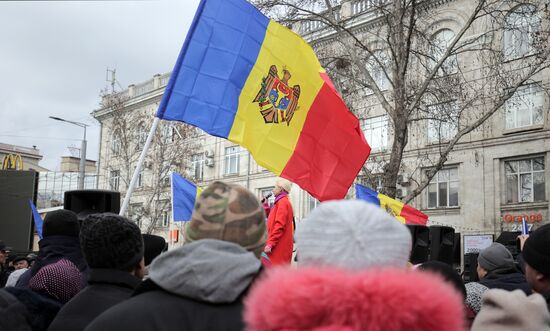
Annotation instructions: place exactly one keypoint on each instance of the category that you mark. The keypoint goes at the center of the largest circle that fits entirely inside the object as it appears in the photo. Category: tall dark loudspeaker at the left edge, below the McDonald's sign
(17, 189)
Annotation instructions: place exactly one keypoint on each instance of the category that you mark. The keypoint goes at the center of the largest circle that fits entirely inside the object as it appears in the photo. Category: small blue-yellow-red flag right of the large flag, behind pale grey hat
(402, 212)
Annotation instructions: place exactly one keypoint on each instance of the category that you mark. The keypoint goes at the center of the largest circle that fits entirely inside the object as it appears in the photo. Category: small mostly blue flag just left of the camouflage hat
(184, 195)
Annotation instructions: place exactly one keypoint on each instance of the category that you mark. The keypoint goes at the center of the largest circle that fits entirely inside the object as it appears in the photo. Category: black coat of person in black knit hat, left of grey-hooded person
(106, 288)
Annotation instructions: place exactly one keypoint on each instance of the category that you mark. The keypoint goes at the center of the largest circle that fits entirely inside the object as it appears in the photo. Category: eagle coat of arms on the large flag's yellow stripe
(277, 100)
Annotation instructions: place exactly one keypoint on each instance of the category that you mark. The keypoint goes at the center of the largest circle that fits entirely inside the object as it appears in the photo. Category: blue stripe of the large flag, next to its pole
(221, 48)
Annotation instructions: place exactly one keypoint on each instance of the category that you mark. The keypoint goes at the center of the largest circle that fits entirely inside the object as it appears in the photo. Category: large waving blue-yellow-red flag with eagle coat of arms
(246, 78)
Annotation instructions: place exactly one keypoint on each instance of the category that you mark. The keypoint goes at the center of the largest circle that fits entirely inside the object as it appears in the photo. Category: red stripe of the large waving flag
(331, 148)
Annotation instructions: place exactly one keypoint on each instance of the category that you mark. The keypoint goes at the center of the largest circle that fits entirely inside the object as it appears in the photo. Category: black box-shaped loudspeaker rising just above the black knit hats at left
(86, 202)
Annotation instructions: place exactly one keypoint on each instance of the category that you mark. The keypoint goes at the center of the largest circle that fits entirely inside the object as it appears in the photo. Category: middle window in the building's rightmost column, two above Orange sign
(525, 107)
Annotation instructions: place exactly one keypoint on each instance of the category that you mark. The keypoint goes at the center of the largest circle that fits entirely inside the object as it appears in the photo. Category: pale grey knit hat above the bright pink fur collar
(352, 234)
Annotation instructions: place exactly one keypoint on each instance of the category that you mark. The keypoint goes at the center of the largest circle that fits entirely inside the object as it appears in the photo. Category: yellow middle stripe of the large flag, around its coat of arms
(272, 144)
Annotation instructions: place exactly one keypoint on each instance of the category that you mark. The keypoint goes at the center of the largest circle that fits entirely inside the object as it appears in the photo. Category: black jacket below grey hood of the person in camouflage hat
(171, 312)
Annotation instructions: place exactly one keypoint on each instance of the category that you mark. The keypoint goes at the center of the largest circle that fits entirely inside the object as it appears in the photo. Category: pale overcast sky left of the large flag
(53, 60)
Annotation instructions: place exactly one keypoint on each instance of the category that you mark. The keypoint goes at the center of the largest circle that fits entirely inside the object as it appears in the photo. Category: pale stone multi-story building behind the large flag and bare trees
(494, 175)
